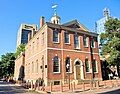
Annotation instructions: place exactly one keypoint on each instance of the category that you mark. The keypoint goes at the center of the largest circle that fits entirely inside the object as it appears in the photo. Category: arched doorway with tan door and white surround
(78, 70)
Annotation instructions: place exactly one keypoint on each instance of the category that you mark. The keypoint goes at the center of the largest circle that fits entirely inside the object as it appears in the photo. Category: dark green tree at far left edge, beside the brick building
(7, 63)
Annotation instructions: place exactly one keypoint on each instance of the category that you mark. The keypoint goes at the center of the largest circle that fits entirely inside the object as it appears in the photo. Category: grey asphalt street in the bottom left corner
(8, 88)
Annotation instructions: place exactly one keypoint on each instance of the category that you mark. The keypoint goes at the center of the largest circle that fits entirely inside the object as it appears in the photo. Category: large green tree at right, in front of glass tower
(111, 44)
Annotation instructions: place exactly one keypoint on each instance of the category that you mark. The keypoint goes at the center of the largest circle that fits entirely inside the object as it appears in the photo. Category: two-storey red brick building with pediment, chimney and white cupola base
(58, 52)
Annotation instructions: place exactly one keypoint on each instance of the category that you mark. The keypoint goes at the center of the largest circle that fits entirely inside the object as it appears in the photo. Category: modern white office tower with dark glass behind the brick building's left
(23, 31)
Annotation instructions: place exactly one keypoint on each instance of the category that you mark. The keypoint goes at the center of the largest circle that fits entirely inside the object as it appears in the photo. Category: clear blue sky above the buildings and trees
(15, 12)
